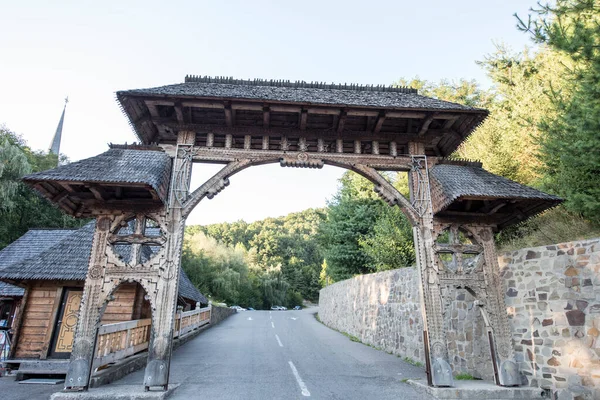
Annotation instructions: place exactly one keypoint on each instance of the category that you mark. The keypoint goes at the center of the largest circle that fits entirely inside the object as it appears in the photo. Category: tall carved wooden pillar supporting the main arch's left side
(161, 339)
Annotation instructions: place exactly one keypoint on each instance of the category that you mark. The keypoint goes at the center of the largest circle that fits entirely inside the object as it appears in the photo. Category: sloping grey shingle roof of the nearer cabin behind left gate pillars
(67, 259)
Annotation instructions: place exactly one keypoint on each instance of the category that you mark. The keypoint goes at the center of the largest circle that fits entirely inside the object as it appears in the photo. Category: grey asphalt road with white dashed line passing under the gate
(283, 355)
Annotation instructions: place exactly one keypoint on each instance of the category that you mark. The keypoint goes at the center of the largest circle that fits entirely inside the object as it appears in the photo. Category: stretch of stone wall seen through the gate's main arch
(380, 309)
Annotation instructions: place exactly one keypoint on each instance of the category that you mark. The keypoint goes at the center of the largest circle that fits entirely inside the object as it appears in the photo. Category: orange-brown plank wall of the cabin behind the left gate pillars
(42, 304)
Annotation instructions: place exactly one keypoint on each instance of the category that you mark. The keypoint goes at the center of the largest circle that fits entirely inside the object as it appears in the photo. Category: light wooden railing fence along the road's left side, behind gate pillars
(123, 339)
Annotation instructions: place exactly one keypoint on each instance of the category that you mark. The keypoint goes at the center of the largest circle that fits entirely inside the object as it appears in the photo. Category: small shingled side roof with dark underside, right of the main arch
(497, 198)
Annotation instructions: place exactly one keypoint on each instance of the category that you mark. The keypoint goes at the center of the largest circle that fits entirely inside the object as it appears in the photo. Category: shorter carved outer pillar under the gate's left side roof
(82, 356)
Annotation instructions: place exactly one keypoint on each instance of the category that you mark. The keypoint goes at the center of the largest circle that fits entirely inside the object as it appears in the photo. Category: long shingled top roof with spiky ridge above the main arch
(312, 93)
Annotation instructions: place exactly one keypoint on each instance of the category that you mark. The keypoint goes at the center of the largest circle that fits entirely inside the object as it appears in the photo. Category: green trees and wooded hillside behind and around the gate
(543, 131)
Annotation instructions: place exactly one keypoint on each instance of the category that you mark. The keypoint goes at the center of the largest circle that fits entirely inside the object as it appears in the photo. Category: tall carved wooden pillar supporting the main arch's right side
(431, 300)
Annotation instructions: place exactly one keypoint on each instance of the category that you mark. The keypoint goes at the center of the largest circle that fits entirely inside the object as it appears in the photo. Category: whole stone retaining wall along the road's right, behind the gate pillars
(553, 302)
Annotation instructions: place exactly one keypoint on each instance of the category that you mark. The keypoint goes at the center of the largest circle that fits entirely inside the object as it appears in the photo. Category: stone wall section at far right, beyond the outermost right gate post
(553, 303)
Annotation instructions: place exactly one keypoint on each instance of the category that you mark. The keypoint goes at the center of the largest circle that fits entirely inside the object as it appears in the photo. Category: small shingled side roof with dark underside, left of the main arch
(117, 174)
